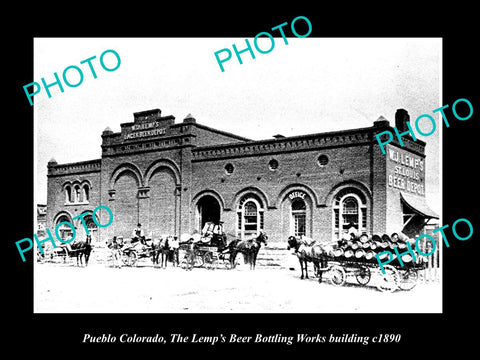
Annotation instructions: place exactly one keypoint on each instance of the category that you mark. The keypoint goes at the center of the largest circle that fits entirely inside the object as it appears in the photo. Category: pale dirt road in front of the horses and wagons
(104, 289)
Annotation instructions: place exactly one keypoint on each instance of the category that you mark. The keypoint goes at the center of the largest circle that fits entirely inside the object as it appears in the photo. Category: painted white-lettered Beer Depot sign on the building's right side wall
(405, 171)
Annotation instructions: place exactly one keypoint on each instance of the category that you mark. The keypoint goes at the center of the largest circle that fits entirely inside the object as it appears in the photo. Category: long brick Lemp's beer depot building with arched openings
(173, 177)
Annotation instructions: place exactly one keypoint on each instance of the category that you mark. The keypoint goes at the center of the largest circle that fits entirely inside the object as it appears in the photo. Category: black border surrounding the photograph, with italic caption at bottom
(426, 333)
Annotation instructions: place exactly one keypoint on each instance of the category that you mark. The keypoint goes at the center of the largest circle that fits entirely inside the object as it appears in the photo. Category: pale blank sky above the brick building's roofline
(311, 85)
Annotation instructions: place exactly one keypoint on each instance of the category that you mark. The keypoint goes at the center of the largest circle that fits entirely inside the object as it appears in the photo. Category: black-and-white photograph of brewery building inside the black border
(166, 185)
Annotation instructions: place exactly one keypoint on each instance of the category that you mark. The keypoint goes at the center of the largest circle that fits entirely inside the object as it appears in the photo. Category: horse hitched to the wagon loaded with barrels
(308, 252)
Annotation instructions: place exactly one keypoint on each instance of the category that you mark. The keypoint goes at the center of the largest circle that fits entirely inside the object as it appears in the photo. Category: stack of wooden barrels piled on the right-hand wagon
(364, 248)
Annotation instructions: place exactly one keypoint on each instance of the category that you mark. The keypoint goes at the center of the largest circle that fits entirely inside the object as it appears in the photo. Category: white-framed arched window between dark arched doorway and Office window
(249, 216)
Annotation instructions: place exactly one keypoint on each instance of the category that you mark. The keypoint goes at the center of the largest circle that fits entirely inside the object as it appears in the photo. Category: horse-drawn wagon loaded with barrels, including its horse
(357, 258)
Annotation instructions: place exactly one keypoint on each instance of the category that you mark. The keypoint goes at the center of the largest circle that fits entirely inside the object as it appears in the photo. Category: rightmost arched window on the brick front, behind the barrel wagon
(349, 210)
